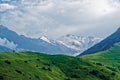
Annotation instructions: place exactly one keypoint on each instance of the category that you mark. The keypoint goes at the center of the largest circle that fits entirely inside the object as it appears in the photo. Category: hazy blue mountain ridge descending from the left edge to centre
(39, 45)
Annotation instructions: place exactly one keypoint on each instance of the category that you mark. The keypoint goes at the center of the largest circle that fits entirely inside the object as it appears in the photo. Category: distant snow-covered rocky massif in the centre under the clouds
(79, 43)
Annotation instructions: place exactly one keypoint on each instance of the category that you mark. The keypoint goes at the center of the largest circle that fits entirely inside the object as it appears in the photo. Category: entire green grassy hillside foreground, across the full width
(34, 66)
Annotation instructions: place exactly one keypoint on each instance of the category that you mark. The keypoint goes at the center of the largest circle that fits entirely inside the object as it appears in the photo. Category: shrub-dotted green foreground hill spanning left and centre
(35, 66)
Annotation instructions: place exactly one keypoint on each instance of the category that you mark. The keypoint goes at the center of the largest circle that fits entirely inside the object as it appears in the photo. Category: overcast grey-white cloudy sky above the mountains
(54, 18)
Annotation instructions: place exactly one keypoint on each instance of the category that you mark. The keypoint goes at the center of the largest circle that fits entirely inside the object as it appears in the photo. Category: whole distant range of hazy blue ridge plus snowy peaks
(69, 44)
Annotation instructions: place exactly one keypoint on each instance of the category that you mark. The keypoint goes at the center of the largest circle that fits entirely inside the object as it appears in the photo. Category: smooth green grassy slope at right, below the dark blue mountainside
(109, 59)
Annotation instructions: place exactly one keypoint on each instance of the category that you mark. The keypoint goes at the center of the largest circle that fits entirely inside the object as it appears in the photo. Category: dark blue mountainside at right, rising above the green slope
(105, 44)
